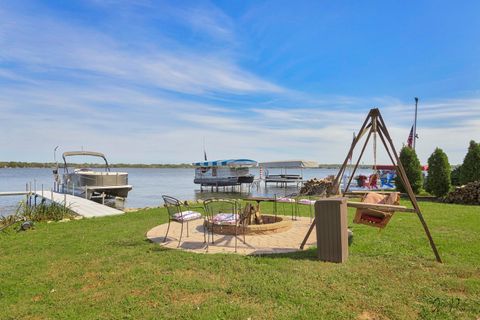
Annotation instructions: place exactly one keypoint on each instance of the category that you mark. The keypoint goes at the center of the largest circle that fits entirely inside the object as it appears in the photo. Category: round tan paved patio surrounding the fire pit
(281, 242)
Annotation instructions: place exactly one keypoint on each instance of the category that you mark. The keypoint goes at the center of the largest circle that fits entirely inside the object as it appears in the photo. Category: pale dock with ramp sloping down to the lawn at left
(81, 206)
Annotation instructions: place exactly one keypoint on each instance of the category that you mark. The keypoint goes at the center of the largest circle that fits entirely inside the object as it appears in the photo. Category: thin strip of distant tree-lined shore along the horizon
(21, 164)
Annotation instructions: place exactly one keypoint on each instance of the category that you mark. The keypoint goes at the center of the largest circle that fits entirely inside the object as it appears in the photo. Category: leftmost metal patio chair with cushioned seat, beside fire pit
(181, 213)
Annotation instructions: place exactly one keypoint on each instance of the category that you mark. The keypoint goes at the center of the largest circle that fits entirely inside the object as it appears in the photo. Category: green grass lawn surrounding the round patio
(104, 268)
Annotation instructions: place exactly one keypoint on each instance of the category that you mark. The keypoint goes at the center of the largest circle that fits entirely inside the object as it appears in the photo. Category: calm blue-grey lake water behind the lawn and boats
(148, 185)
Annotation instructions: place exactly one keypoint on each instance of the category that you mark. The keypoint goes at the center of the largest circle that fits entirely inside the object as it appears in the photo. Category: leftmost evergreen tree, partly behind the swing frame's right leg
(410, 162)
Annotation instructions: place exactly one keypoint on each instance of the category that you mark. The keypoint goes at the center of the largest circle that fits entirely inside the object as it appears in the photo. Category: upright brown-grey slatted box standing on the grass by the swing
(331, 226)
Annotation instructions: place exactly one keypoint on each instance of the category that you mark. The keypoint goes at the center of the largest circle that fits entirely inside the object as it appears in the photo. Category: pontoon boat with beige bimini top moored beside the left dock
(89, 183)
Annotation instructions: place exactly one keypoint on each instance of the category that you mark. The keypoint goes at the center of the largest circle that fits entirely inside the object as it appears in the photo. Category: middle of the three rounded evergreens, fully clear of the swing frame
(438, 182)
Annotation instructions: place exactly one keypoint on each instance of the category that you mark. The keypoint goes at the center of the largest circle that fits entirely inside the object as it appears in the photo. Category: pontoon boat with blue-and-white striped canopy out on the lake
(223, 173)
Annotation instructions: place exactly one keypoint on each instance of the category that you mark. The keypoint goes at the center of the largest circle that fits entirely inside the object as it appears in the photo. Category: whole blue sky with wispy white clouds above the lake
(148, 81)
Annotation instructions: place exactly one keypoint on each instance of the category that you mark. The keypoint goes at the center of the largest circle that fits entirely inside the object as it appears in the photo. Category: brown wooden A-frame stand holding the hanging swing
(374, 124)
